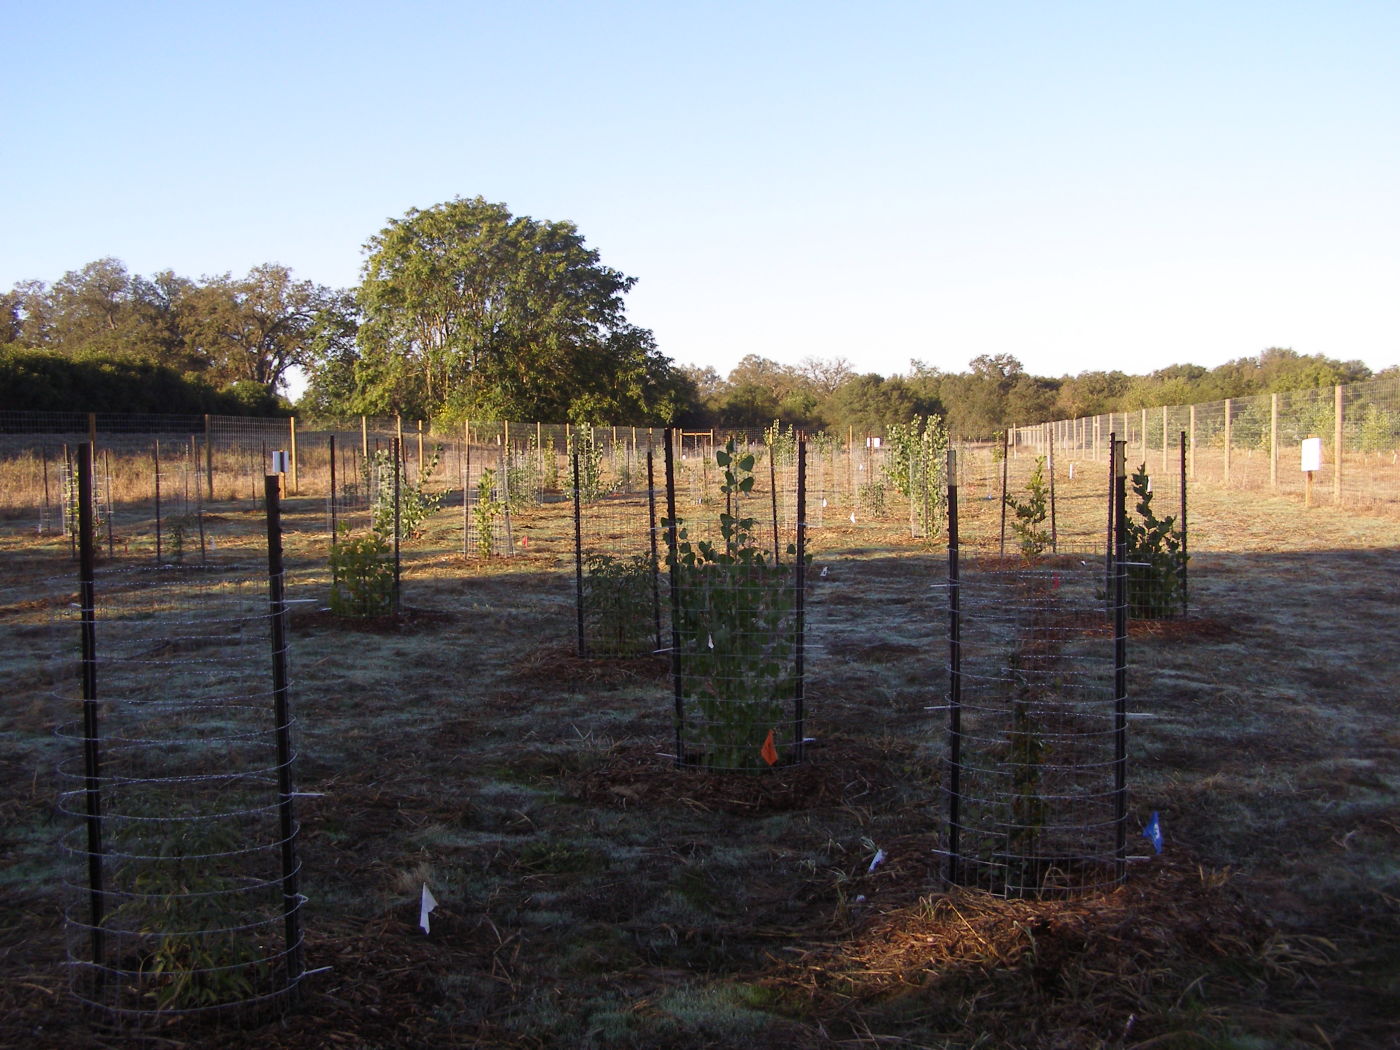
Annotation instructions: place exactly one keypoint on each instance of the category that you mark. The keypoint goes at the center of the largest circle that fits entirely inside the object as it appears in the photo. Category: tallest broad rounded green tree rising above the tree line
(472, 311)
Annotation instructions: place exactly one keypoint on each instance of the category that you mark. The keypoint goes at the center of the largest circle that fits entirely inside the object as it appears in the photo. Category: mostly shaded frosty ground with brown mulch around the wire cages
(593, 895)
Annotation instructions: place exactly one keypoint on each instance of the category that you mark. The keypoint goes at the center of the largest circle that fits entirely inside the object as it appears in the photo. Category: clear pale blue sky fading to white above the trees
(1083, 185)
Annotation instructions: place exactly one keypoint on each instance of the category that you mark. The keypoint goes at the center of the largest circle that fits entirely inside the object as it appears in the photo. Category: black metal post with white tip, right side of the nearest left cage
(282, 716)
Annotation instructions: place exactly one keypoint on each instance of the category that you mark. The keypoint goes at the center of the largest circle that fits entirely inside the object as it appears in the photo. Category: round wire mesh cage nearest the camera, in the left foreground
(183, 891)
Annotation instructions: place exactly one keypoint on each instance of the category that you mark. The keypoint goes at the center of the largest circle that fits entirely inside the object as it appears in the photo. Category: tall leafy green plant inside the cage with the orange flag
(734, 624)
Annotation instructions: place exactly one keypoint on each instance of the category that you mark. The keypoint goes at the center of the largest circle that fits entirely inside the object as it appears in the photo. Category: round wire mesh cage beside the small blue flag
(1035, 779)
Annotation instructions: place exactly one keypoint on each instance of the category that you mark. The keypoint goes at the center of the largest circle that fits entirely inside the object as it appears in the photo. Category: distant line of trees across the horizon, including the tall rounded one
(465, 311)
